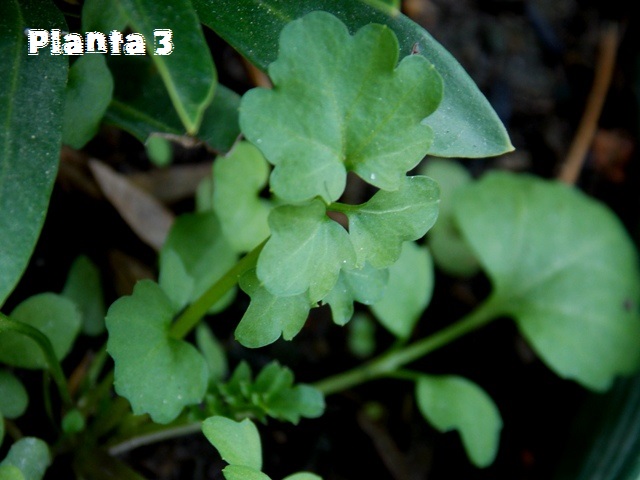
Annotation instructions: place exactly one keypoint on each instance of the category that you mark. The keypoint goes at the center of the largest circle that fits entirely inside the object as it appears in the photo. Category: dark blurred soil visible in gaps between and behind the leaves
(535, 62)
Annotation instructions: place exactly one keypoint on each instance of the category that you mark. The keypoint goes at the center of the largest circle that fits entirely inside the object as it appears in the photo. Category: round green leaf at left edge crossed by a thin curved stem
(55, 316)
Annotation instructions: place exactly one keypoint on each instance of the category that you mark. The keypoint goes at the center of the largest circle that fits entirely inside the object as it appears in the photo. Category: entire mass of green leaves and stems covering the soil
(560, 264)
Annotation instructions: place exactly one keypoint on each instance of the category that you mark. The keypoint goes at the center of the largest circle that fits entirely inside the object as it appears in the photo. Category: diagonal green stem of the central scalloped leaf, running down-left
(192, 315)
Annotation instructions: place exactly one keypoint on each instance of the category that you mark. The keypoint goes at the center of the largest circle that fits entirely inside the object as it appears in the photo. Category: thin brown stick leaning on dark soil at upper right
(608, 47)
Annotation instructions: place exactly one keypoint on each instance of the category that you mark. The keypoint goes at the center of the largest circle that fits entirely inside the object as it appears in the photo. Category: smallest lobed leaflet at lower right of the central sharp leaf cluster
(365, 285)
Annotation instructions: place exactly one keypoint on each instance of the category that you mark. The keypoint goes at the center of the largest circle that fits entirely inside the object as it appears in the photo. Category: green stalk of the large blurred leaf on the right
(390, 361)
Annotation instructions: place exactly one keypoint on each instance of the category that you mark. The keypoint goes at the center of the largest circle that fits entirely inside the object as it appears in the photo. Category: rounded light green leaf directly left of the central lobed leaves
(238, 179)
